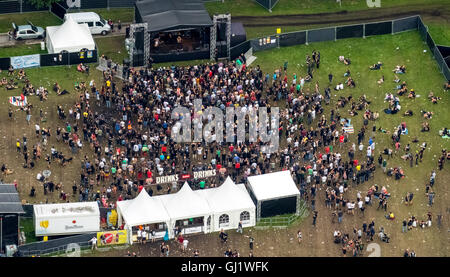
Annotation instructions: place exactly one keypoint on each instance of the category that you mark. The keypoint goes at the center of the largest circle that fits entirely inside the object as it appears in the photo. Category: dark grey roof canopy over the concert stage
(166, 15)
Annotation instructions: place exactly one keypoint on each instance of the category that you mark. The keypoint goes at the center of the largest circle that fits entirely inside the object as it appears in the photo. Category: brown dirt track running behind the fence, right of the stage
(434, 12)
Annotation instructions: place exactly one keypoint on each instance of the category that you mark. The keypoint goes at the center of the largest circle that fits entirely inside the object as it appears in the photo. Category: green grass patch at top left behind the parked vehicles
(42, 19)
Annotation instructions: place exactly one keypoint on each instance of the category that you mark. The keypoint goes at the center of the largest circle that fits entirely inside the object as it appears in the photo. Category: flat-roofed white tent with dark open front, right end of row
(274, 193)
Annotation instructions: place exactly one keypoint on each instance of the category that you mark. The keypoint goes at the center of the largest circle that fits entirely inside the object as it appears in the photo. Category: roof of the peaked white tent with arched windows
(229, 196)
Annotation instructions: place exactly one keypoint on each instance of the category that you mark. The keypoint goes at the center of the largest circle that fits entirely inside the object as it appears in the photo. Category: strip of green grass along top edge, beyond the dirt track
(285, 7)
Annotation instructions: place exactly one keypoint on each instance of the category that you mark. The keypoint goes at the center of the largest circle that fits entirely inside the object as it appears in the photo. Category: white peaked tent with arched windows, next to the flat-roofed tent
(230, 203)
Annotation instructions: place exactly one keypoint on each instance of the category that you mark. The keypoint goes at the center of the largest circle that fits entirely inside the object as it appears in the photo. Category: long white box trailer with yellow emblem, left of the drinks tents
(66, 218)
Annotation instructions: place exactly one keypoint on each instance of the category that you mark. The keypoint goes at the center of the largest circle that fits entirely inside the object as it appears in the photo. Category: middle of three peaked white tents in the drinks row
(185, 205)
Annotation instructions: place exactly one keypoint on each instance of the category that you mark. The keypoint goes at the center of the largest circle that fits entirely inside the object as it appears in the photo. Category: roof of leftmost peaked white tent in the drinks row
(143, 210)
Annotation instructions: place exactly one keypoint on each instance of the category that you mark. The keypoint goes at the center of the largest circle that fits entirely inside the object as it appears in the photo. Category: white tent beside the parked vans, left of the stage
(70, 36)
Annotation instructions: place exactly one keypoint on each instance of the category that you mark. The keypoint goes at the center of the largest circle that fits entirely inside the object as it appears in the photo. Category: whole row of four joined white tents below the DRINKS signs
(210, 210)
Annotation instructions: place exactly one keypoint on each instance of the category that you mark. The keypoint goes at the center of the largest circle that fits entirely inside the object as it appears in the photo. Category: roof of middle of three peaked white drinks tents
(185, 204)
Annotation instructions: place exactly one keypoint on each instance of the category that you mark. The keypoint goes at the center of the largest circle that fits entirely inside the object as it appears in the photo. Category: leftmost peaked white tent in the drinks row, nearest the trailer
(143, 210)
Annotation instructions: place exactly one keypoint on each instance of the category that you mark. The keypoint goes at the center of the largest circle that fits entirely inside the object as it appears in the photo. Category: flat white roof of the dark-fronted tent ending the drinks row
(273, 185)
